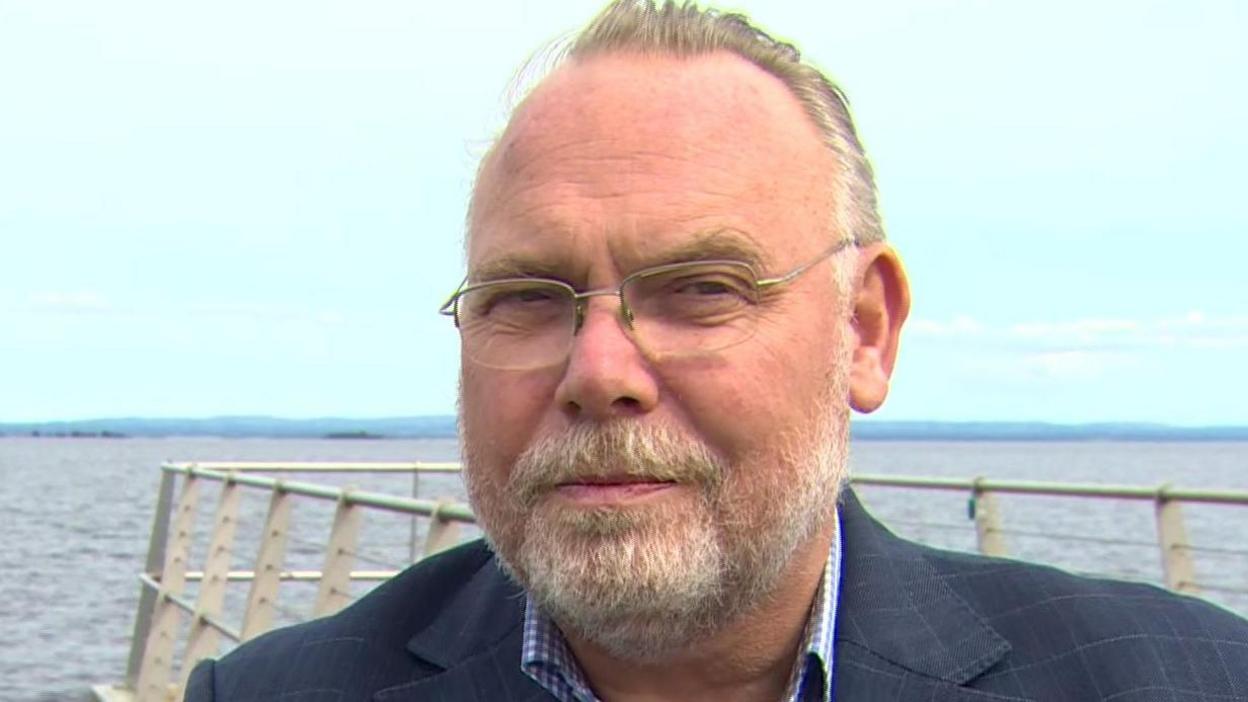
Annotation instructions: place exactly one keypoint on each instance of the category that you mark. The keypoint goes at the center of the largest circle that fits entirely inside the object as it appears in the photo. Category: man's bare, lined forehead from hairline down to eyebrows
(640, 153)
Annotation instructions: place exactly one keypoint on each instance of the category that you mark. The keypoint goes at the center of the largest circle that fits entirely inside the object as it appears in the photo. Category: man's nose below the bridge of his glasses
(607, 374)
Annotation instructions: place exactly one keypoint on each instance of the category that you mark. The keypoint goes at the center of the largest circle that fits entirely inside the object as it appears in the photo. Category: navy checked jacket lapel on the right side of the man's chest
(902, 631)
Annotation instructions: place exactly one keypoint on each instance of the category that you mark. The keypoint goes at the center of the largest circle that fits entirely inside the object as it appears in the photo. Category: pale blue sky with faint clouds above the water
(251, 208)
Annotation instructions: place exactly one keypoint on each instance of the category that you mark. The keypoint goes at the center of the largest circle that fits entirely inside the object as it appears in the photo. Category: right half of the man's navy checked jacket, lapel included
(910, 613)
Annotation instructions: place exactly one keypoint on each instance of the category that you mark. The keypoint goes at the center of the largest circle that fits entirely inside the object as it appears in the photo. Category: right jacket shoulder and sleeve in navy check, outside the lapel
(1118, 639)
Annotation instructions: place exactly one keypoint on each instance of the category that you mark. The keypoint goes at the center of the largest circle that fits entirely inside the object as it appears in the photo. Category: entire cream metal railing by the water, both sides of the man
(165, 606)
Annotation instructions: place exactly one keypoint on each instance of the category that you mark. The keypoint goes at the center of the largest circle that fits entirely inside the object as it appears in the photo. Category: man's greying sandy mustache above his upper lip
(612, 452)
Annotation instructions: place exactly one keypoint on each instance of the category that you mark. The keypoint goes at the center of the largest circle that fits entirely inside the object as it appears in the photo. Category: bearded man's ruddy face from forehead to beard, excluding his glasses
(645, 499)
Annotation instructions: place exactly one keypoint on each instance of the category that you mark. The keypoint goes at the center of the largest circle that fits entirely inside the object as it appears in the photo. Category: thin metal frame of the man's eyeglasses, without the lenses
(451, 307)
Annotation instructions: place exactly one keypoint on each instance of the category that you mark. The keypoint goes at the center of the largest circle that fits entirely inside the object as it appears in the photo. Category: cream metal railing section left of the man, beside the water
(163, 604)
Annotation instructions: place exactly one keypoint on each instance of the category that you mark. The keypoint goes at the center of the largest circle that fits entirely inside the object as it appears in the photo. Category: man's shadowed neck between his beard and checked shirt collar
(751, 659)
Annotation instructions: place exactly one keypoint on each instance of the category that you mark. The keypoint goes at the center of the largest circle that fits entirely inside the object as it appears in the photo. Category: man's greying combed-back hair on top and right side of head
(685, 29)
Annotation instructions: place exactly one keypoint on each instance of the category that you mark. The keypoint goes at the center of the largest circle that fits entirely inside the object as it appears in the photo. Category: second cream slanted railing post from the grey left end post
(203, 640)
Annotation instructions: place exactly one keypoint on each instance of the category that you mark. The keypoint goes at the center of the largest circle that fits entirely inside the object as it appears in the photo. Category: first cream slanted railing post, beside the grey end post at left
(158, 664)
